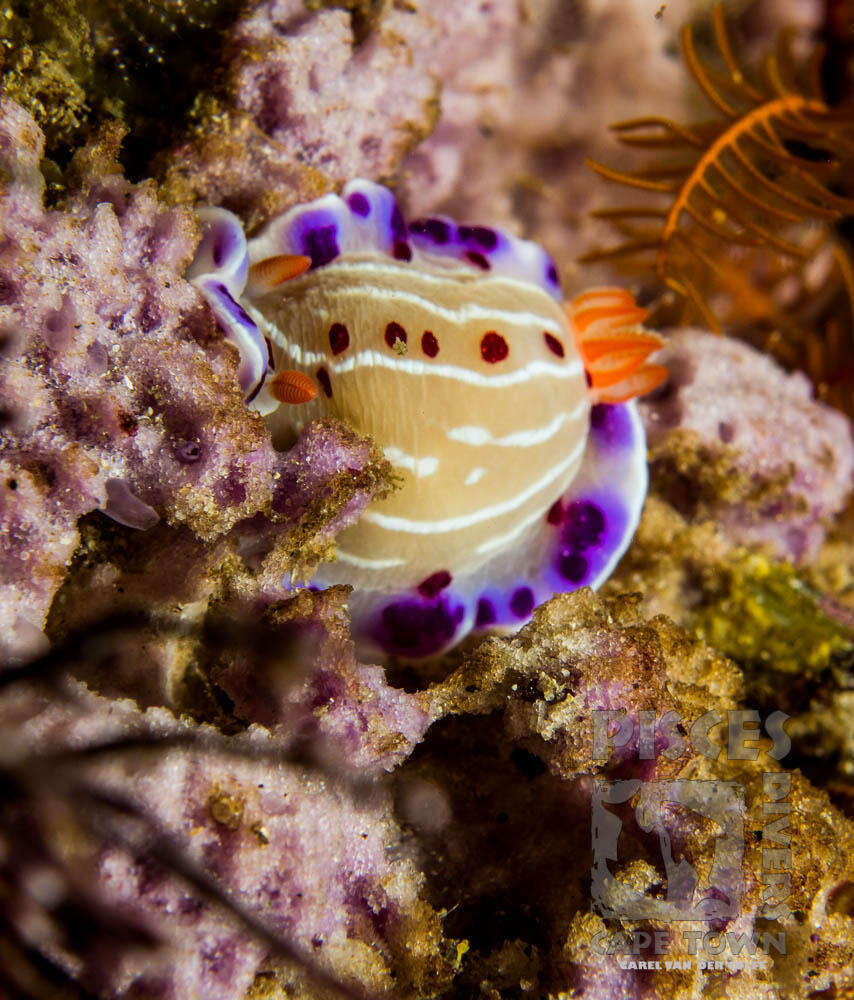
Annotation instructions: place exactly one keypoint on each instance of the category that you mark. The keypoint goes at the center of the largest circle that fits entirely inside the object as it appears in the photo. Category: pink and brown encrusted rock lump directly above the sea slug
(302, 108)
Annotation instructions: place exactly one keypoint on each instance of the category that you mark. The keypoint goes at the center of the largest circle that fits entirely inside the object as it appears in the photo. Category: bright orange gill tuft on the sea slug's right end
(614, 347)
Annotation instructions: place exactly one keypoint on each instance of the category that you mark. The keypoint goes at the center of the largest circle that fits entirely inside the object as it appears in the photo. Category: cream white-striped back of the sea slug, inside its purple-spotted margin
(483, 449)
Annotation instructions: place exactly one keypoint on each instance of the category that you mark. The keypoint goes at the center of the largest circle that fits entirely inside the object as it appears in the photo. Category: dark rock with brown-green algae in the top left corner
(78, 65)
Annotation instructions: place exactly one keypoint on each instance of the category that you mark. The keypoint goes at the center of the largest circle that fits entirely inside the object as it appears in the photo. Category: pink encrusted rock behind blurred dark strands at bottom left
(200, 866)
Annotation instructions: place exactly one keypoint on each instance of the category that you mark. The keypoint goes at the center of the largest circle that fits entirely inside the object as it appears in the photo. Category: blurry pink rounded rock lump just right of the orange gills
(735, 440)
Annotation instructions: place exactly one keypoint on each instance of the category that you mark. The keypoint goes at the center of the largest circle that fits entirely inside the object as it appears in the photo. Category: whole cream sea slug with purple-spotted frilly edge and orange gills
(507, 413)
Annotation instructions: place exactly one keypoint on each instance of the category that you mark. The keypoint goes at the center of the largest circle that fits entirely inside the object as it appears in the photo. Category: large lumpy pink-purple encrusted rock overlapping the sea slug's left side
(120, 395)
